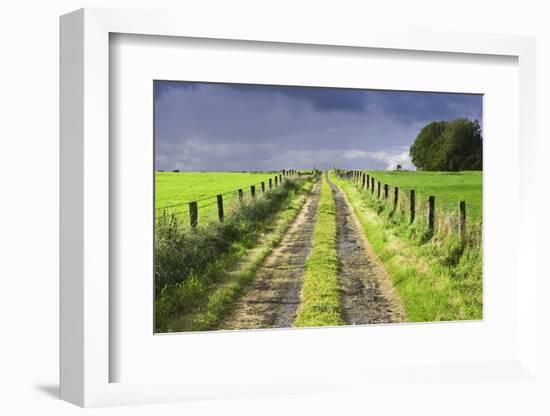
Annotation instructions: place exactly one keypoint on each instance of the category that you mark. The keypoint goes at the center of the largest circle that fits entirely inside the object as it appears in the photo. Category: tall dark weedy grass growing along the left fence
(189, 263)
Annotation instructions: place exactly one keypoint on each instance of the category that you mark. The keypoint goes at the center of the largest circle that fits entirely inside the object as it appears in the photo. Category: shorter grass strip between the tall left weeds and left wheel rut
(202, 300)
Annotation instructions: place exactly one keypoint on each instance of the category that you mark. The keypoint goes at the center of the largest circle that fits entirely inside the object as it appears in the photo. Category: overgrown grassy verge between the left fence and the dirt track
(199, 282)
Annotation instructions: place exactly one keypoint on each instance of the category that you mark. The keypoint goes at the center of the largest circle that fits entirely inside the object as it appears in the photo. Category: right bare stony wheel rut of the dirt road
(367, 295)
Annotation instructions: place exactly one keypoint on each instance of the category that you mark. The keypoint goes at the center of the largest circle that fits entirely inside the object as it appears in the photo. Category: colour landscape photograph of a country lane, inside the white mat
(280, 206)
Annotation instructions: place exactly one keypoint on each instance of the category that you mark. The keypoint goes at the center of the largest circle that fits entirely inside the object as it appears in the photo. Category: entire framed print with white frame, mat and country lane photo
(274, 212)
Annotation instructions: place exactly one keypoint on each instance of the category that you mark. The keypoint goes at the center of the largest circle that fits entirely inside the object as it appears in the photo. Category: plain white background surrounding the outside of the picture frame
(29, 188)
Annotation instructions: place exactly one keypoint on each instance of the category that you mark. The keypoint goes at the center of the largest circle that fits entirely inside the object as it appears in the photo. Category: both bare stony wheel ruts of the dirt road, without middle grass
(273, 298)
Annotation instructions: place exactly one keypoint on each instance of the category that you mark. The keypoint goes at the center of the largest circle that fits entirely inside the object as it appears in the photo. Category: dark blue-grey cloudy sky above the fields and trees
(228, 127)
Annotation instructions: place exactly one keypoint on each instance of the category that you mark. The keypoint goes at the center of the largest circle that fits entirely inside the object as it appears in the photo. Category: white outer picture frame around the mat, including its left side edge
(85, 220)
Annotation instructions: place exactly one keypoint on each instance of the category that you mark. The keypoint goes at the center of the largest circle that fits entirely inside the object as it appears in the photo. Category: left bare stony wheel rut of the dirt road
(272, 299)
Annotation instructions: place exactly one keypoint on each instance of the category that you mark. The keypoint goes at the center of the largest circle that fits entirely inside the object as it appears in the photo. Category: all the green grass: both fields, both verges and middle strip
(201, 272)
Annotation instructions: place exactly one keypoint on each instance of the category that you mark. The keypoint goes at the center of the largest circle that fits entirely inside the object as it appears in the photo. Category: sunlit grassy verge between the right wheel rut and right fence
(438, 278)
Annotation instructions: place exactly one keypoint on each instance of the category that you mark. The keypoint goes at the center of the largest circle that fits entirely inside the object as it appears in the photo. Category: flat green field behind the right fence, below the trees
(447, 187)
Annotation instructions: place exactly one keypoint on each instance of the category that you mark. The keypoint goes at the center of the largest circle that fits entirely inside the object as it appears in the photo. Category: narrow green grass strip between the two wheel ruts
(320, 297)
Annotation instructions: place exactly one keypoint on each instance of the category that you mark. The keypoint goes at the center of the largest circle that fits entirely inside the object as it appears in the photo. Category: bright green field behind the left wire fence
(178, 188)
